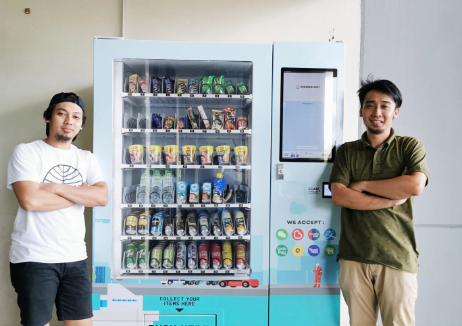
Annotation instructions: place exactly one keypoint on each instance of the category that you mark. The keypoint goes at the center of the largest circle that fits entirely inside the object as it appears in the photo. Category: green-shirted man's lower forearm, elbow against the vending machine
(346, 197)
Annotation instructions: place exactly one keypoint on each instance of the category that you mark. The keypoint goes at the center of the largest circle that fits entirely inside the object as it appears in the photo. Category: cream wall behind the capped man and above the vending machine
(51, 50)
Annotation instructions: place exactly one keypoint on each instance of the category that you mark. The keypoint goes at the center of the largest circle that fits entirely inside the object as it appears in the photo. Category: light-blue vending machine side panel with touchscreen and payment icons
(308, 85)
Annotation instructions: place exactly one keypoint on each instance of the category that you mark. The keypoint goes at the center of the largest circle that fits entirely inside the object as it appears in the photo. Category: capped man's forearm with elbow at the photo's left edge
(32, 198)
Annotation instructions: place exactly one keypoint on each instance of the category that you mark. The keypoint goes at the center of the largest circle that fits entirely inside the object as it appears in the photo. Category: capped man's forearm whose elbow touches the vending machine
(88, 196)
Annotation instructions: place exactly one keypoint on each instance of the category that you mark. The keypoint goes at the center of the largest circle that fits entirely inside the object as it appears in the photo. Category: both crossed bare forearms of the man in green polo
(388, 193)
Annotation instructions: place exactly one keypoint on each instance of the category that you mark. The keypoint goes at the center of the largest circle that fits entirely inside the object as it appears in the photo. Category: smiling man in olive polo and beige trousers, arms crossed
(375, 180)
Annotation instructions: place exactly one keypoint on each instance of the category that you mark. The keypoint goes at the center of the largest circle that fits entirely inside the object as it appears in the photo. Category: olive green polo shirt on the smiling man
(385, 236)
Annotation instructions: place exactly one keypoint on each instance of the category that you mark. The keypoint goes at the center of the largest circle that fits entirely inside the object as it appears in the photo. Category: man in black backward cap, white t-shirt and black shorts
(53, 181)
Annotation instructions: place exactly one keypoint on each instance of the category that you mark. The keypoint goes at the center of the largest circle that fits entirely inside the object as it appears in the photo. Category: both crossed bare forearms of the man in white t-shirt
(54, 196)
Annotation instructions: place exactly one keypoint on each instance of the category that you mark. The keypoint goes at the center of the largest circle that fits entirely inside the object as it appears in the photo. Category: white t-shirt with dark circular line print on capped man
(53, 236)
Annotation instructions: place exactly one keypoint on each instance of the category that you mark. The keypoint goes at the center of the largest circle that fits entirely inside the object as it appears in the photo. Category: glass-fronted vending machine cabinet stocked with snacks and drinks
(182, 132)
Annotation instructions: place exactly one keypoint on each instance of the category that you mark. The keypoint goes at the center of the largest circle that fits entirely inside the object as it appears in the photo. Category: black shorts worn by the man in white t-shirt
(38, 285)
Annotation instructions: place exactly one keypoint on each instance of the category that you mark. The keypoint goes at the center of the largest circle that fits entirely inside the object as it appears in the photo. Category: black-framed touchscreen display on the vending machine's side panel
(308, 113)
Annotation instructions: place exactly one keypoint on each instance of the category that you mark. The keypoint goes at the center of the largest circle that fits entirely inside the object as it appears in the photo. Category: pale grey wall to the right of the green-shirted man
(417, 45)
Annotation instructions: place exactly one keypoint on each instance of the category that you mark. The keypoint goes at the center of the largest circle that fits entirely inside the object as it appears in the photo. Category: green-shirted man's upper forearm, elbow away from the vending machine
(401, 187)
